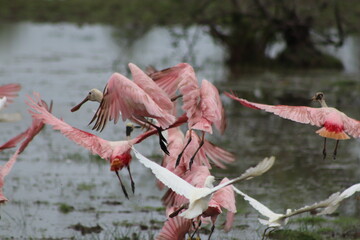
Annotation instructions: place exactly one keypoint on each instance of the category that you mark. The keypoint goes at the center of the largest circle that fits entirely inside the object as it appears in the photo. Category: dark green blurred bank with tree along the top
(245, 28)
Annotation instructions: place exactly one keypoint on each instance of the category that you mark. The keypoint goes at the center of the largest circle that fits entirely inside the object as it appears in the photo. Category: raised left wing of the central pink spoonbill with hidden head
(169, 79)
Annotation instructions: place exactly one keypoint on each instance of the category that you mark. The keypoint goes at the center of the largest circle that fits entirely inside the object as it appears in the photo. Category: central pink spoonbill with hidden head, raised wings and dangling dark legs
(202, 105)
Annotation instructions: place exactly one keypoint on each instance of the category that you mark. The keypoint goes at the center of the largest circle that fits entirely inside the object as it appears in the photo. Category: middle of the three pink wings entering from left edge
(36, 126)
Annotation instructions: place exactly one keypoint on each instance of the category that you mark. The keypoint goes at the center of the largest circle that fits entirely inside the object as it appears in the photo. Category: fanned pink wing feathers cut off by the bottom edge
(174, 229)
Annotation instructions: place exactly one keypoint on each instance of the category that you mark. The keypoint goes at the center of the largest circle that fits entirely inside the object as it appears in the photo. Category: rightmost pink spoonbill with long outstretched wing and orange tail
(334, 124)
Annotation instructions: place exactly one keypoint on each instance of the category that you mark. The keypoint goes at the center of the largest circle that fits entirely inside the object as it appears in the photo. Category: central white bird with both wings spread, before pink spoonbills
(199, 198)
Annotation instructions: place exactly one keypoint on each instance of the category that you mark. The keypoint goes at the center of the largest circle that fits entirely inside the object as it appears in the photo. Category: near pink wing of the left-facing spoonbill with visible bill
(121, 95)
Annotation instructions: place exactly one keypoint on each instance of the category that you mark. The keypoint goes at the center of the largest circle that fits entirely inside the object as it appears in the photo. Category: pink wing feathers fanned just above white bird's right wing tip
(217, 155)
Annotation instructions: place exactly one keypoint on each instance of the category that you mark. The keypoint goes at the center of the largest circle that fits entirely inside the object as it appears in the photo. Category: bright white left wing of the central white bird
(171, 180)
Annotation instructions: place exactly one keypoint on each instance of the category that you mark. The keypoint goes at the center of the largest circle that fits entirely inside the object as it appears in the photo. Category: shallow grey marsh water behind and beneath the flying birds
(63, 61)
